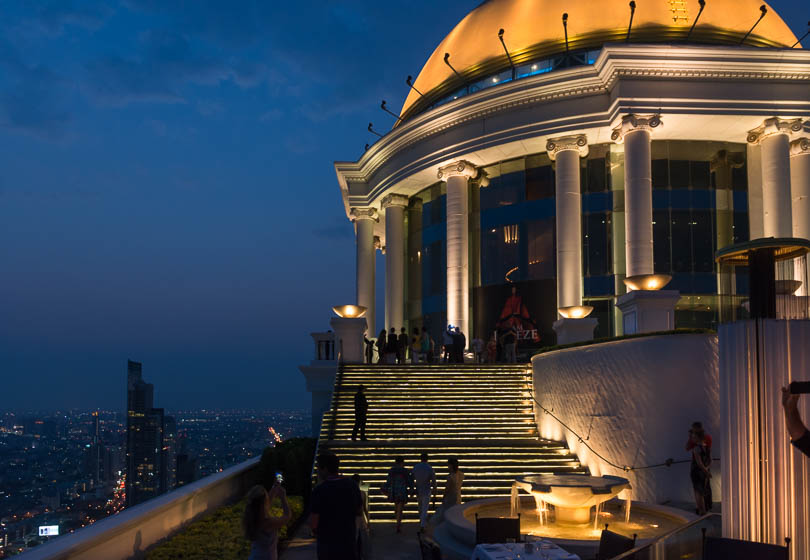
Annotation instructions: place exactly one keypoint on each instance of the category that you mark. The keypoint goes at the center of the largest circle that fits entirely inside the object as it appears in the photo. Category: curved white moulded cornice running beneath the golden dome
(497, 112)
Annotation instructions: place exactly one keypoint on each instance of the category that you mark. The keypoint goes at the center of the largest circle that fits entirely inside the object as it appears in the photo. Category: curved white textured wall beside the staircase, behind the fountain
(634, 400)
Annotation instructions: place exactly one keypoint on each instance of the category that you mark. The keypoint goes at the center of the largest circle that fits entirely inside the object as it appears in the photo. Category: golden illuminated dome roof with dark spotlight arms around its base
(533, 29)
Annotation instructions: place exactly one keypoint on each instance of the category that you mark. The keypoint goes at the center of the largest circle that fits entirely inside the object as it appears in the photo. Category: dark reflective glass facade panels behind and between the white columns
(699, 205)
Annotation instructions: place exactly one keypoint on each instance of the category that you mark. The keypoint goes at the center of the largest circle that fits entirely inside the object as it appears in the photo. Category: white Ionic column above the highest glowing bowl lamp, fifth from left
(635, 132)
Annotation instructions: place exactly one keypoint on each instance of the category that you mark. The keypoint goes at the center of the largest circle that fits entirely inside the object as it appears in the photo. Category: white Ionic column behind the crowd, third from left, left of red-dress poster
(457, 175)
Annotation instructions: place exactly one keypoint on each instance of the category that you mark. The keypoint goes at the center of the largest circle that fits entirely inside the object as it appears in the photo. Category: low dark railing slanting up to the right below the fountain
(685, 541)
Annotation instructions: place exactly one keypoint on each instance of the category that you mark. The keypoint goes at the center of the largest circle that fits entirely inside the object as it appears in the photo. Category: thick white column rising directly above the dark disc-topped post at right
(773, 139)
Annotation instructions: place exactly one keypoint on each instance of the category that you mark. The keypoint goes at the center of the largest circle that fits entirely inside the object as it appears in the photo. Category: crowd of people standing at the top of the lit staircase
(420, 348)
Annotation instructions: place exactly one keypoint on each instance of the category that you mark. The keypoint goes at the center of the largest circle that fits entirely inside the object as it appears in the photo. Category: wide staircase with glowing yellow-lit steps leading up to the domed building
(481, 414)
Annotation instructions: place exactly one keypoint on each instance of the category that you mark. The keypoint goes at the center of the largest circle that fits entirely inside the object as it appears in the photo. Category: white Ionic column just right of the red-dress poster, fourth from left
(567, 151)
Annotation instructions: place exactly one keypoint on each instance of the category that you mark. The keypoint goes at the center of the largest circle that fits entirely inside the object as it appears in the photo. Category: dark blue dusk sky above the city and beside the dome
(167, 191)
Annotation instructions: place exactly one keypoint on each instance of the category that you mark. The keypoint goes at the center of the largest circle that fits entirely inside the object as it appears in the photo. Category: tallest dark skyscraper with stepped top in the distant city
(145, 456)
